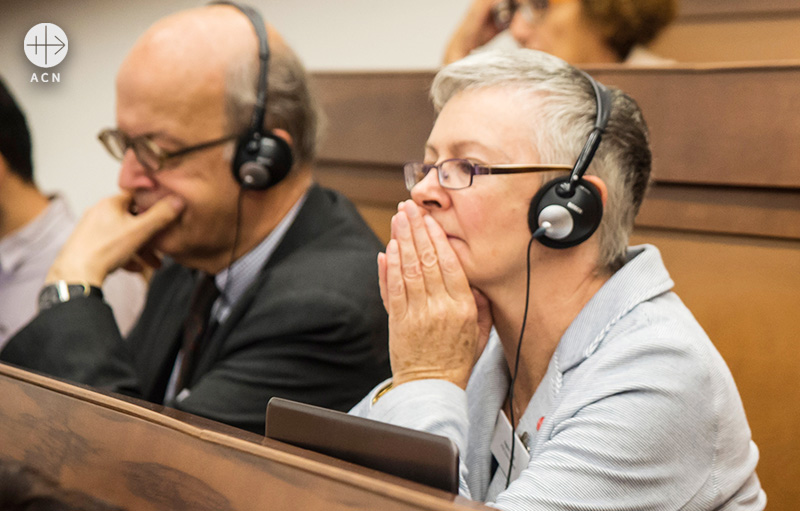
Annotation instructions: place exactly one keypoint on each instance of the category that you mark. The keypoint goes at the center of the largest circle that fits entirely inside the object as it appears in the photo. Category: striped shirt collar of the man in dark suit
(244, 270)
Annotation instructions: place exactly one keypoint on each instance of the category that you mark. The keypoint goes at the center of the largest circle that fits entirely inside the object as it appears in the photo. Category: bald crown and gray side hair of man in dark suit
(211, 53)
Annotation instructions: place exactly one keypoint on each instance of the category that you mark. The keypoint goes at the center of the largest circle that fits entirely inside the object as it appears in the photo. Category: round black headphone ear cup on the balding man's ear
(261, 161)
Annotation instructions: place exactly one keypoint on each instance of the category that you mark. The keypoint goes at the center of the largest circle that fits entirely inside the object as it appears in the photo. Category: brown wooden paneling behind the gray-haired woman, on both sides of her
(724, 210)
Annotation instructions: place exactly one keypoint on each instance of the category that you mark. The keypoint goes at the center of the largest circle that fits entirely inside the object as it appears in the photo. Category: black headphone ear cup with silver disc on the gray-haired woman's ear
(573, 218)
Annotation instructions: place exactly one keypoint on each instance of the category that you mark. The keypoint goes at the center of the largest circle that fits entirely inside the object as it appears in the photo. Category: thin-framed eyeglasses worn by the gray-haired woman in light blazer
(456, 173)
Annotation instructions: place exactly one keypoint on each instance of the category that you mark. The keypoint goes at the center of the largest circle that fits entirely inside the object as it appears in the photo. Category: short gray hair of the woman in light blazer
(563, 110)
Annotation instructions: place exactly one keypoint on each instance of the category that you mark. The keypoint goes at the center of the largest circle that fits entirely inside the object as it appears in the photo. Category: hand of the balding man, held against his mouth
(109, 237)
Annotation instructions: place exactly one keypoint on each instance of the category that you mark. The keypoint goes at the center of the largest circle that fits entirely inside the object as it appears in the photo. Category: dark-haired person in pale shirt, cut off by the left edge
(33, 228)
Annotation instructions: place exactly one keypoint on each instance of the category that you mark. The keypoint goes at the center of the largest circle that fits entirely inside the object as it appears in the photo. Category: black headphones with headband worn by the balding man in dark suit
(262, 159)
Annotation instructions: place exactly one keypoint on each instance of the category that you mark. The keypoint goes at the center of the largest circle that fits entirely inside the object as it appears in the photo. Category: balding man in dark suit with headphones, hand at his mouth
(269, 286)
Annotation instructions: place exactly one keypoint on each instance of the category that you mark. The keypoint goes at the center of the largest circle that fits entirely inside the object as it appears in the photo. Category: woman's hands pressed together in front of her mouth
(438, 325)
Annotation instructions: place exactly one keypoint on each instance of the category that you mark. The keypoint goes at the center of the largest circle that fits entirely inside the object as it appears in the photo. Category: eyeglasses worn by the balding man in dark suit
(149, 154)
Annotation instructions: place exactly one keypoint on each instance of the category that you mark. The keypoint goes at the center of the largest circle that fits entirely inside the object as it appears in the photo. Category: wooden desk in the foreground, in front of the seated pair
(146, 457)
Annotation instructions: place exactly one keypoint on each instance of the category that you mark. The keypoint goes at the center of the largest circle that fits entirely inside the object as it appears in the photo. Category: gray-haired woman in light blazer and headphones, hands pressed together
(596, 389)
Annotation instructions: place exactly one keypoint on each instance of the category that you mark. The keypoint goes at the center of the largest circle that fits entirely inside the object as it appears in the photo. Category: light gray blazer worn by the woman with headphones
(637, 411)
